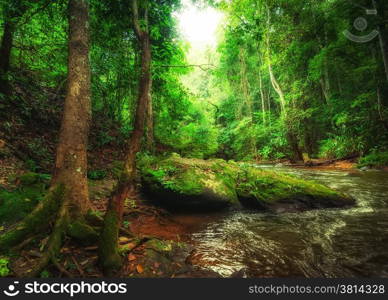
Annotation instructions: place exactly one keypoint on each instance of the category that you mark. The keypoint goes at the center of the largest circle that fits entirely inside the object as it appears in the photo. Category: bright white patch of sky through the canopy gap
(198, 25)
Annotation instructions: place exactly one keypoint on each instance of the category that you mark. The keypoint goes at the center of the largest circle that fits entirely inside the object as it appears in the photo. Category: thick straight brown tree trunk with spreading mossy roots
(67, 200)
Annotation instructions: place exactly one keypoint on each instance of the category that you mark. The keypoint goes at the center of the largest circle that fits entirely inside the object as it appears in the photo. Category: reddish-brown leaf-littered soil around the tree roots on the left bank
(156, 248)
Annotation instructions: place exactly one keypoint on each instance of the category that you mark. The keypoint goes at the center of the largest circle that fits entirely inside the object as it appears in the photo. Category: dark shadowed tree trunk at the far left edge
(5, 54)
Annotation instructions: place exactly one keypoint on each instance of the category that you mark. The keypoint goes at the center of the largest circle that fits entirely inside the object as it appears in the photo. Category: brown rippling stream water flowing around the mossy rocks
(321, 243)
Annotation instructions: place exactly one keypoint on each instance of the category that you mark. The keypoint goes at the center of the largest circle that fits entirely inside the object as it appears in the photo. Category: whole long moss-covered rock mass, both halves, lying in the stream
(194, 184)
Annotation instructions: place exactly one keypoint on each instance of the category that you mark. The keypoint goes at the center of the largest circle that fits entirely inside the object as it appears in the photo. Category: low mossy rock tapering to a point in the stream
(277, 192)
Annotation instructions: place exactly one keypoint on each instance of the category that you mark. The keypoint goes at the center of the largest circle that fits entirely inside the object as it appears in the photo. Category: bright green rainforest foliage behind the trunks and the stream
(284, 80)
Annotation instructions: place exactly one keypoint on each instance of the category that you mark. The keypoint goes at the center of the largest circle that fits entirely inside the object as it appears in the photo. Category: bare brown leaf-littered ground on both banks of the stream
(163, 250)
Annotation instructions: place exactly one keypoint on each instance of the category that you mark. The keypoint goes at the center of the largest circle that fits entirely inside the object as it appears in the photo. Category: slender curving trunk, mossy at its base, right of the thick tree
(109, 257)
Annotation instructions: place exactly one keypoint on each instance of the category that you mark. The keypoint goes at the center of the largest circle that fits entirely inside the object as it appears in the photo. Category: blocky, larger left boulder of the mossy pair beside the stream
(190, 184)
